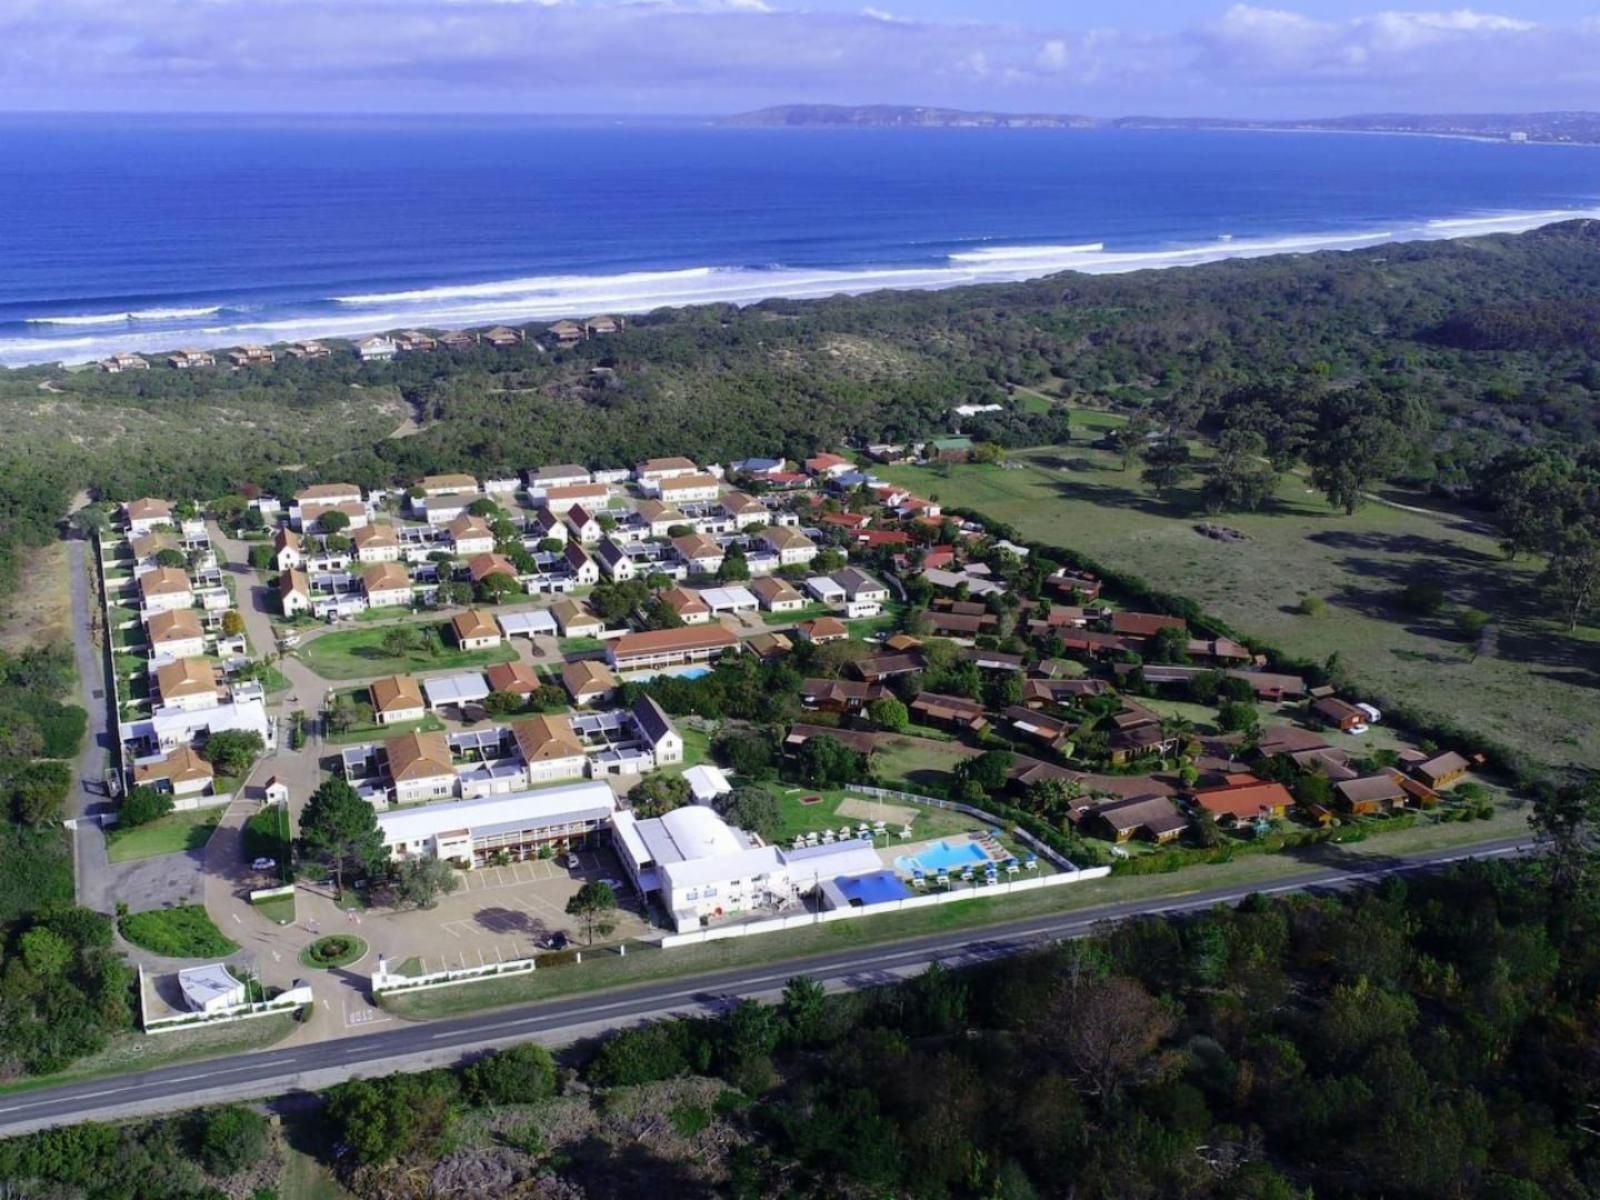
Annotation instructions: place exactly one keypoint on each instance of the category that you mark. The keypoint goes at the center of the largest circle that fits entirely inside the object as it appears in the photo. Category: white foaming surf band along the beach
(478, 305)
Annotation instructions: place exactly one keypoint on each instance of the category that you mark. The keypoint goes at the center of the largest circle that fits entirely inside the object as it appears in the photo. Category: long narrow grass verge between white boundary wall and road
(644, 964)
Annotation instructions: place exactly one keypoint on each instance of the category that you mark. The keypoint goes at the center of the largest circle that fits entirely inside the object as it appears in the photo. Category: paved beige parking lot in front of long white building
(503, 913)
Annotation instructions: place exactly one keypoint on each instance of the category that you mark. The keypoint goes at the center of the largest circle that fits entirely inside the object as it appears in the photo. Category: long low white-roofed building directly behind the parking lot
(474, 833)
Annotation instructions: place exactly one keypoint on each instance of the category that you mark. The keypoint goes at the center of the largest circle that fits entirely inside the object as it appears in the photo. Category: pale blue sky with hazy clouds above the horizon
(1306, 58)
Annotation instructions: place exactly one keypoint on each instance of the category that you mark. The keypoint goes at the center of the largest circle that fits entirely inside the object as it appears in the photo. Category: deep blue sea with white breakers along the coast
(156, 233)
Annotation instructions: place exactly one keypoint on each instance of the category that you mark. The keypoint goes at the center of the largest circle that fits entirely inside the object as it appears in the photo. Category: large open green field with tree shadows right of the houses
(1535, 690)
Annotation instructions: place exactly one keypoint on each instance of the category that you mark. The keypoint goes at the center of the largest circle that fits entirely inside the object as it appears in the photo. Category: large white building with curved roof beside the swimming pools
(703, 870)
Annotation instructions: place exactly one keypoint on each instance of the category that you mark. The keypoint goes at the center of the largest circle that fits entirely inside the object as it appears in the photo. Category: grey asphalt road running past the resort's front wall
(410, 1046)
